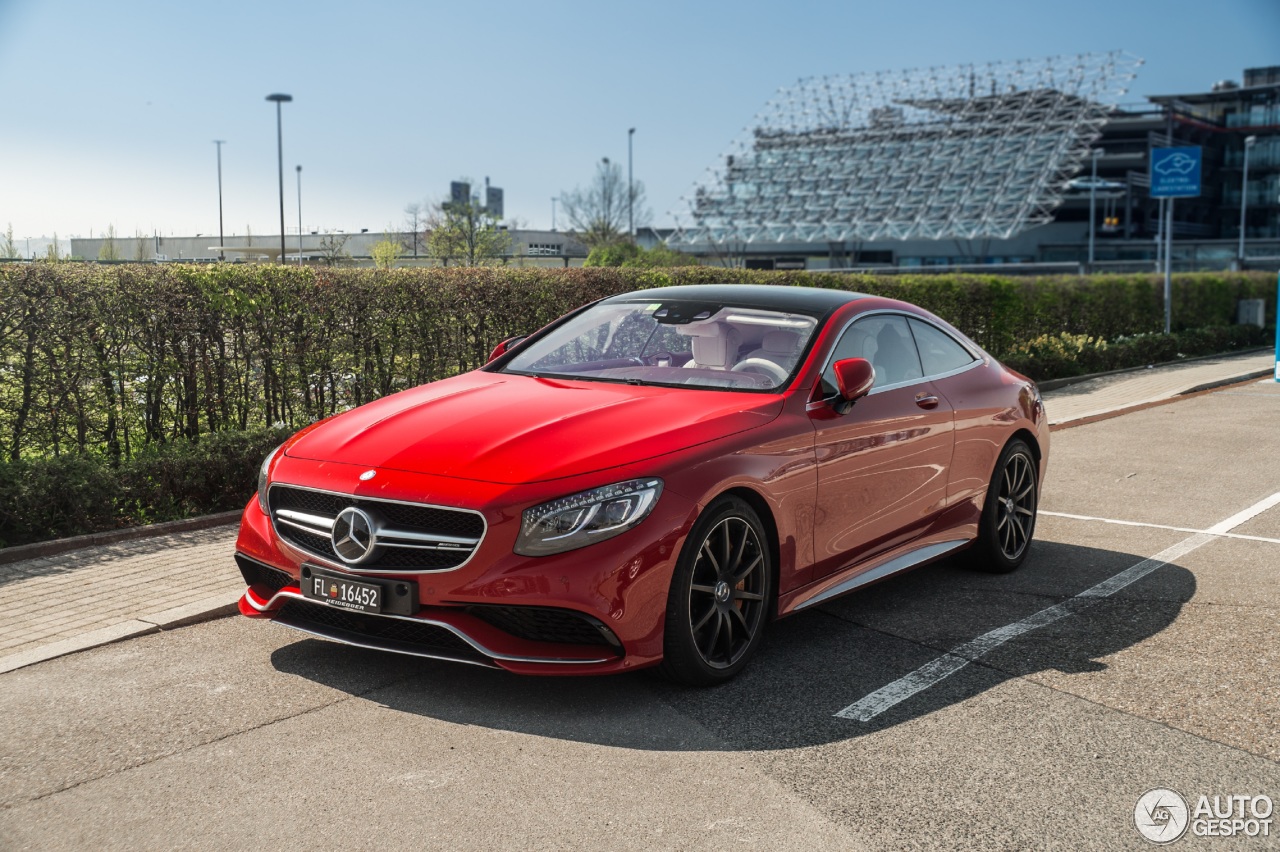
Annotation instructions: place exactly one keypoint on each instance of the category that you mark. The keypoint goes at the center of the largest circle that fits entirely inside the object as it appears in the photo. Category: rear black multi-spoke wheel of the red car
(1009, 514)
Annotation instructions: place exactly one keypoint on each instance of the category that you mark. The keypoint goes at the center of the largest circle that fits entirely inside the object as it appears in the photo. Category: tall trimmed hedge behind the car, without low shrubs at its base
(118, 360)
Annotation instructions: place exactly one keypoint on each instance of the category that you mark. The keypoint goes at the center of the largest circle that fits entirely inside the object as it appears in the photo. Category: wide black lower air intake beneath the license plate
(391, 634)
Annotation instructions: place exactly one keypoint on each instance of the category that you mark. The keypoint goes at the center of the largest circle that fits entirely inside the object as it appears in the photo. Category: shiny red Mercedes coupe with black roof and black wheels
(650, 480)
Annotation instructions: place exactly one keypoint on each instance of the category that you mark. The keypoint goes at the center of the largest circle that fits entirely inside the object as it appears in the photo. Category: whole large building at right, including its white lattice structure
(979, 166)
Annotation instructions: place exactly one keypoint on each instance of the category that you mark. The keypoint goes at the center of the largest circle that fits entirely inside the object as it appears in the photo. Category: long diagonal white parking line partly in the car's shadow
(938, 671)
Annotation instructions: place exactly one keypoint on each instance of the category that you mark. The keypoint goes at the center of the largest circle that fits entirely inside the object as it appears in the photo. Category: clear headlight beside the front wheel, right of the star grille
(588, 517)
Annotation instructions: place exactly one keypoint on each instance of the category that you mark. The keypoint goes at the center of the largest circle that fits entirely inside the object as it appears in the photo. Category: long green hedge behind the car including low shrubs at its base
(136, 393)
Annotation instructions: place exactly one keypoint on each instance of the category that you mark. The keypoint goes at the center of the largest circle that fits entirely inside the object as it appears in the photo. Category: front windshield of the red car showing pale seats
(673, 343)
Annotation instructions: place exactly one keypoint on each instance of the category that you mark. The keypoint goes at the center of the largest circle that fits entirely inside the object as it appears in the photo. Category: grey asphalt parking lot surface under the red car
(944, 709)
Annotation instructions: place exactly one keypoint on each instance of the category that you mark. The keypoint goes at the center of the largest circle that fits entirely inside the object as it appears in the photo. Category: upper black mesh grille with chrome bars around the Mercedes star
(412, 521)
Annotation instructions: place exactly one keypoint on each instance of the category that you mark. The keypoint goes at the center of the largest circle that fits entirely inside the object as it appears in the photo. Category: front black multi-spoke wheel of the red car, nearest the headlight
(720, 597)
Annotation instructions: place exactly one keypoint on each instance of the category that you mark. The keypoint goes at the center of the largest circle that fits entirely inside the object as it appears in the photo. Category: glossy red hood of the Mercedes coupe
(508, 429)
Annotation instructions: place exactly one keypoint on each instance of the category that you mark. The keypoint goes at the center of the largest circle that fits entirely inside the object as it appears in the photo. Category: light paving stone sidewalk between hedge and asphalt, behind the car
(67, 603)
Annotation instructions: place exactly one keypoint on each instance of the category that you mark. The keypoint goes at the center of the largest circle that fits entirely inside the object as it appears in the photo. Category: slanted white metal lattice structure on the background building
(967, 153)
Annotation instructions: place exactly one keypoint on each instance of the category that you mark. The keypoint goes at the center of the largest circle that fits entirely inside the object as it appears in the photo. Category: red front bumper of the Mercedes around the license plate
(593, 611)
